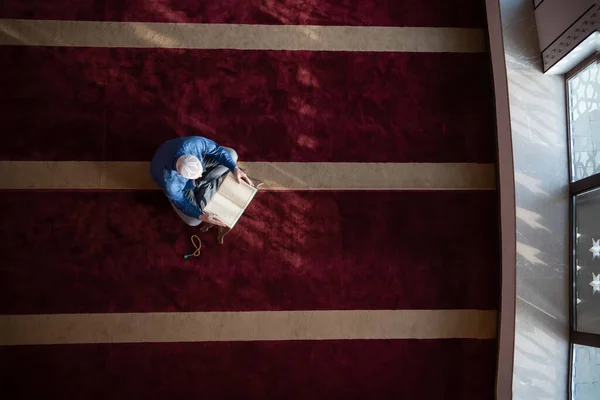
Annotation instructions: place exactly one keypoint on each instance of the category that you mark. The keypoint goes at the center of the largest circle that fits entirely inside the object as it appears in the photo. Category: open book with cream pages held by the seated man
(231, 200)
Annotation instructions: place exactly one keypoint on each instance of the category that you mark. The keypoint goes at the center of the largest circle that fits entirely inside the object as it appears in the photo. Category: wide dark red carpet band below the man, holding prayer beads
(122, 252)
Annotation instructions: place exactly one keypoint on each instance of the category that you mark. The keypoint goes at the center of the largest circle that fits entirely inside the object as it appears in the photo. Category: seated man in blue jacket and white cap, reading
(189, 171)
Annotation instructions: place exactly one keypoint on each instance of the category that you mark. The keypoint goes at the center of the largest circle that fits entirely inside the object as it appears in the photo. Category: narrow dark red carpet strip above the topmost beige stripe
(451, 13)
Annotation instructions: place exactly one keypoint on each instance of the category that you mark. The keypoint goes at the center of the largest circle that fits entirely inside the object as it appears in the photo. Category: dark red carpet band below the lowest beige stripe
(347, 369)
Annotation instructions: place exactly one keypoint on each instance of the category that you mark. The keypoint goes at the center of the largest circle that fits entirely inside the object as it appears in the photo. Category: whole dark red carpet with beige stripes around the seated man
(367, 268)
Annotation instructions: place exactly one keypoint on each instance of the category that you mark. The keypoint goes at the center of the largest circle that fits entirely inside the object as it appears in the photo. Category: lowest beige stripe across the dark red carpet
(246, 326)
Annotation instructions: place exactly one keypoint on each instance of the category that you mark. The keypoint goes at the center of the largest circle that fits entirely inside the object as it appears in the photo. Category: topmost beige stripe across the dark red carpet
(236, 36)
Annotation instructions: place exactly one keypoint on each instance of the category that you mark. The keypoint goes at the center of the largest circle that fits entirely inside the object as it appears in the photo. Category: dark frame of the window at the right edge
(576, 188)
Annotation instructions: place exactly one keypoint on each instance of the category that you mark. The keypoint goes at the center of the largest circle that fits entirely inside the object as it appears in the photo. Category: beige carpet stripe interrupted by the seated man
(276, 175)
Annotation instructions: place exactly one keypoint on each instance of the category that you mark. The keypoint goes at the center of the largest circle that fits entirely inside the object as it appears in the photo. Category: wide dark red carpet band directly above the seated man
(121, 104)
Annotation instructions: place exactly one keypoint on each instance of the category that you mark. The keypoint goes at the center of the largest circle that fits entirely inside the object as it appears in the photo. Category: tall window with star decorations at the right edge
(583, 95)
